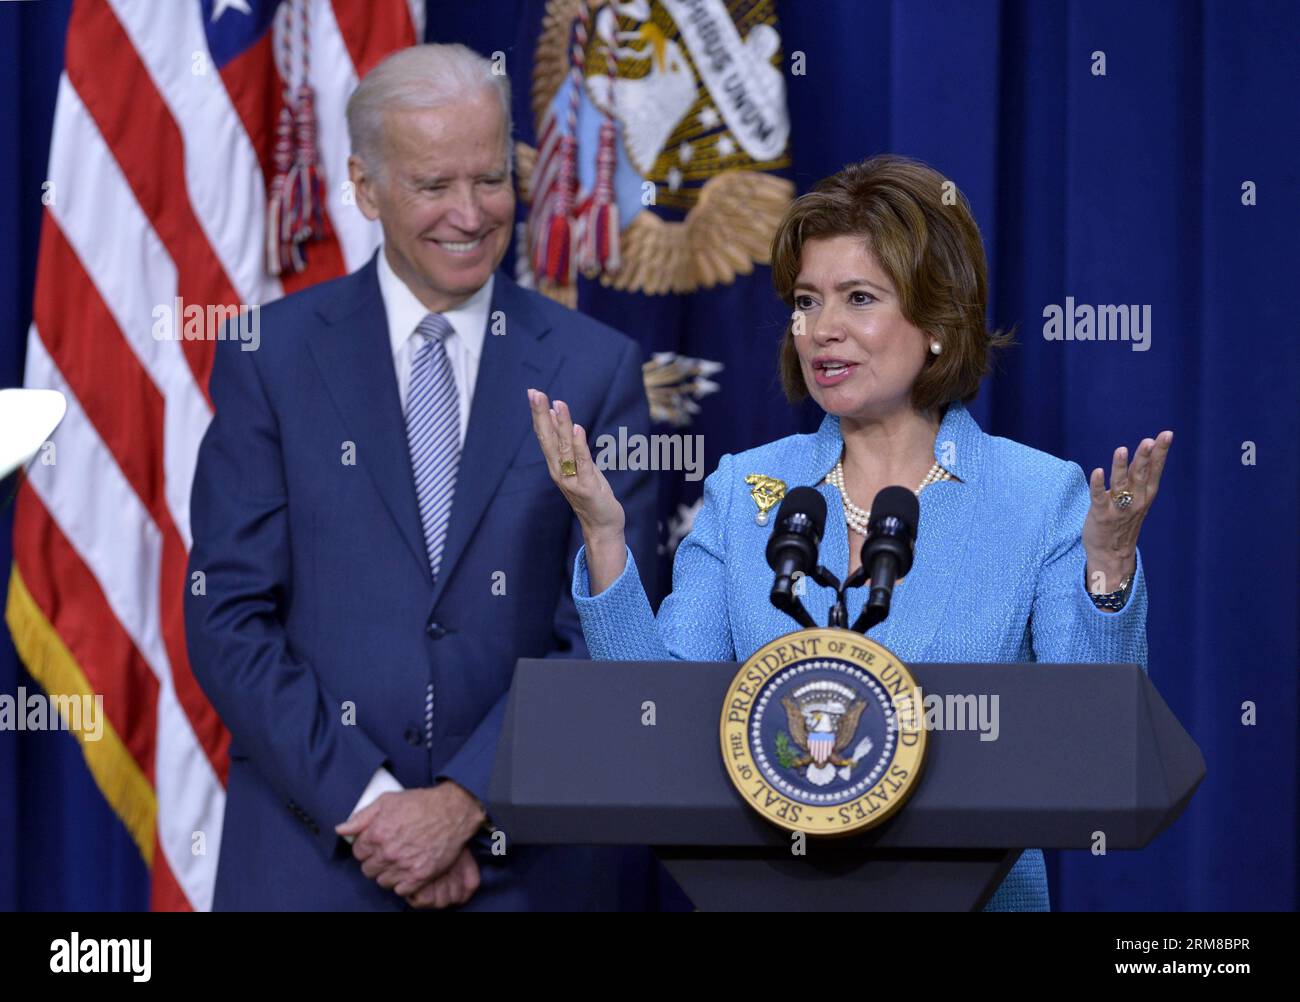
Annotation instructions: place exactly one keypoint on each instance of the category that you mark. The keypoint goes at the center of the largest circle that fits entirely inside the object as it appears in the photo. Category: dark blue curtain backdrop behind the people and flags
(1117, 189)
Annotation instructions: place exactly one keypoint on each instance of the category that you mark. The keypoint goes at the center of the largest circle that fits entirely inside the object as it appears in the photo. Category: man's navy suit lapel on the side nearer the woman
(499, 418)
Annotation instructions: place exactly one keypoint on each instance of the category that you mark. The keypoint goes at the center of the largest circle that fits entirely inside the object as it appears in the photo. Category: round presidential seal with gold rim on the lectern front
(822, 732)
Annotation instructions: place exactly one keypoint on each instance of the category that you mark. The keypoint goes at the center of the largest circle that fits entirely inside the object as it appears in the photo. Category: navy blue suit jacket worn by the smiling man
(318, 627)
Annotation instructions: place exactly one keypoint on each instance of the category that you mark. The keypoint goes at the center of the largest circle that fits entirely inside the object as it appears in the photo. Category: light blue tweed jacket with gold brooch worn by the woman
(999, 576)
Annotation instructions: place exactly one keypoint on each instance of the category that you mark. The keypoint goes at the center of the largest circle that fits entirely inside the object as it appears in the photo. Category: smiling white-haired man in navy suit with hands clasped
(376, 537)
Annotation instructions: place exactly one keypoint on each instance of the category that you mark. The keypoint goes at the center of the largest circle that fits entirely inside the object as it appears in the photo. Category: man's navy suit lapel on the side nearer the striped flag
(354, 355)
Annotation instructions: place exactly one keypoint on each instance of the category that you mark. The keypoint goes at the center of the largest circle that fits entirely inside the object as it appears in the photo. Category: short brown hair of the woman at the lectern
(921, 231)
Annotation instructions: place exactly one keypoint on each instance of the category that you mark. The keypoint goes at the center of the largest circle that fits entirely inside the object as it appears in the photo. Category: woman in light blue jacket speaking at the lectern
(1019, 557)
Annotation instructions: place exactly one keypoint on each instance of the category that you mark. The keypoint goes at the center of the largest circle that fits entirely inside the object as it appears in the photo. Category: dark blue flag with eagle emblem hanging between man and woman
(660, 172)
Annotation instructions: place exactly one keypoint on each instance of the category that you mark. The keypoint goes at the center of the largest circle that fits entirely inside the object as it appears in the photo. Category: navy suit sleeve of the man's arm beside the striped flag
(276, 709)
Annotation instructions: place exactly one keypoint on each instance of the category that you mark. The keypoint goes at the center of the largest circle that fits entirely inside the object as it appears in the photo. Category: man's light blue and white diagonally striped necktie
(434, 433)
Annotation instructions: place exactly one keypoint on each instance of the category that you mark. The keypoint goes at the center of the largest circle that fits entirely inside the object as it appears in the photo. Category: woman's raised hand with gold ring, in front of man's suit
(584, 488)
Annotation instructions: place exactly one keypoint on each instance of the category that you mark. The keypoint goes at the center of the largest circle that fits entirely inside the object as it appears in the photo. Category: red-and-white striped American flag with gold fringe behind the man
(162, 166)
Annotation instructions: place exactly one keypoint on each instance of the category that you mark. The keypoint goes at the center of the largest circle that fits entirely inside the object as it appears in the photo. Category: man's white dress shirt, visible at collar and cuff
(465, 348)
